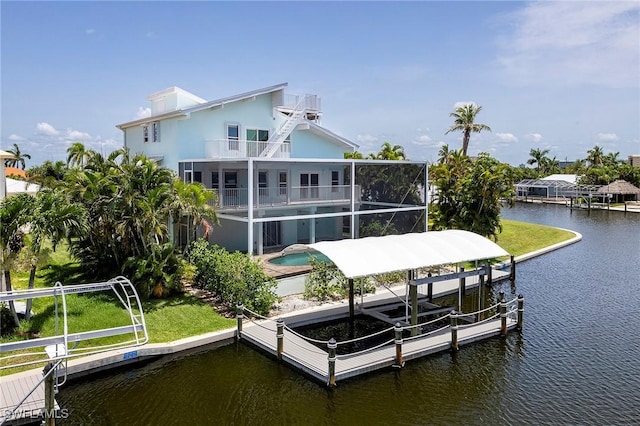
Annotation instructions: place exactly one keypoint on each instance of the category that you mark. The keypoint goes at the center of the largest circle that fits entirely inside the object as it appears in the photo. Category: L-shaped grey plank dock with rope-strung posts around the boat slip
(313, 361)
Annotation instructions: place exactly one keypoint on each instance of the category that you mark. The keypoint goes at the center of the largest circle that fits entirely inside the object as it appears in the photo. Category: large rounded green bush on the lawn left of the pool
(233, 277)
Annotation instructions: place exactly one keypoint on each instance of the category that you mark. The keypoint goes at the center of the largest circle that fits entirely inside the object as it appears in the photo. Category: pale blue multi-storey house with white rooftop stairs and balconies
(279, 176)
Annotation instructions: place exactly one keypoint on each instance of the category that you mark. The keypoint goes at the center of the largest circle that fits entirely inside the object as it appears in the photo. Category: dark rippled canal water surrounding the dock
(577, 360)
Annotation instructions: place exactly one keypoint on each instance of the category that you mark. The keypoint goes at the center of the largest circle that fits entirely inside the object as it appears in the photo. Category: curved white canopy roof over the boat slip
(378, 255)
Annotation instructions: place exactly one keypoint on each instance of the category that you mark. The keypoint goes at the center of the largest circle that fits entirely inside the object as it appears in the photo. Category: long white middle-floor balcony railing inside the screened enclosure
(236, 198)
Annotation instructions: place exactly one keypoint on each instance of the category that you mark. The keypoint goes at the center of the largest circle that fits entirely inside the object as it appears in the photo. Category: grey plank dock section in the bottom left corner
(13, 389)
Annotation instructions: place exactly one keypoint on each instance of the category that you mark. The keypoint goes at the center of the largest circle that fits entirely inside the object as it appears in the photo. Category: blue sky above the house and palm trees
(563, 76)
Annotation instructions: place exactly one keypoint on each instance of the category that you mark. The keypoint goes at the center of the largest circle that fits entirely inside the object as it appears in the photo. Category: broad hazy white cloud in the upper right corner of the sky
(574, 43)
